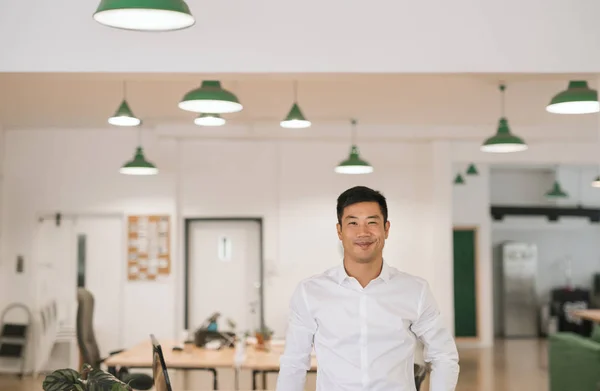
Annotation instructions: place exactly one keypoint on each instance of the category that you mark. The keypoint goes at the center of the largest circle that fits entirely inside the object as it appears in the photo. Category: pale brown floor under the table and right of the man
(510, 365)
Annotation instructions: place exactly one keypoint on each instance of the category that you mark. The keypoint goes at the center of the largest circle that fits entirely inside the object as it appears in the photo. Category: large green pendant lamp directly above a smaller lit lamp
(210, 98)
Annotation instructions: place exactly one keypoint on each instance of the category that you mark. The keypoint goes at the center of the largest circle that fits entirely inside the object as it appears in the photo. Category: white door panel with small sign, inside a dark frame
(224, 273)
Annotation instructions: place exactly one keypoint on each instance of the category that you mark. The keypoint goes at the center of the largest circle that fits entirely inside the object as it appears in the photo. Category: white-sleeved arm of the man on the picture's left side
(295, 361)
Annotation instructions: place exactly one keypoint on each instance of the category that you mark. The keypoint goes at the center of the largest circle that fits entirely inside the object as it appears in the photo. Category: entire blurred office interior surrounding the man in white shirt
(127, 212)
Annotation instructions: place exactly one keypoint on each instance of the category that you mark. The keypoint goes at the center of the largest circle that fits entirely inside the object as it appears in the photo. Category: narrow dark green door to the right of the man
(465, 284)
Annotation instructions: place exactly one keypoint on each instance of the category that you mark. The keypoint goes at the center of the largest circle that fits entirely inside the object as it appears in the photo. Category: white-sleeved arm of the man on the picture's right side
(440, 348)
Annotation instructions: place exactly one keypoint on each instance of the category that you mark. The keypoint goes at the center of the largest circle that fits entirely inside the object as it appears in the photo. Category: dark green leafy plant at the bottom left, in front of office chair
(90, 379)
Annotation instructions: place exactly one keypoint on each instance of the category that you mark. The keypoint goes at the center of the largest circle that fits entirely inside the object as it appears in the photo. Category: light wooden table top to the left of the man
(192, 357)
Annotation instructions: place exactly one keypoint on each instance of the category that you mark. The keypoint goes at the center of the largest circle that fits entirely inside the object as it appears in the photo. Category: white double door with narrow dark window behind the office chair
(88, 252)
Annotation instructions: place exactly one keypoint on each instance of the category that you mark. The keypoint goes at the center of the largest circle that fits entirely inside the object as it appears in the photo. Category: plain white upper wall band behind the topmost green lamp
(459, 36)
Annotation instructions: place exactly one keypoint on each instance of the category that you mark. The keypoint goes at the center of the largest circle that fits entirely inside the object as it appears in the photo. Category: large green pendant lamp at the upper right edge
(578, 98)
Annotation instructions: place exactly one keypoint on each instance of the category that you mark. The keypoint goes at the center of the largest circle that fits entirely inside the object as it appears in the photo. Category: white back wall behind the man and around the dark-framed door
(290, 184)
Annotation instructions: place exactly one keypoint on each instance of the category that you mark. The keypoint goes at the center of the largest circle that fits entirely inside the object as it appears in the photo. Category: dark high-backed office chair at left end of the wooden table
(88, 347)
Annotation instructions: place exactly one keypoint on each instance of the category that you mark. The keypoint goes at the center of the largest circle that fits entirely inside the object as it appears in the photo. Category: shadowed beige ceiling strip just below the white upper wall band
(83, 100)
